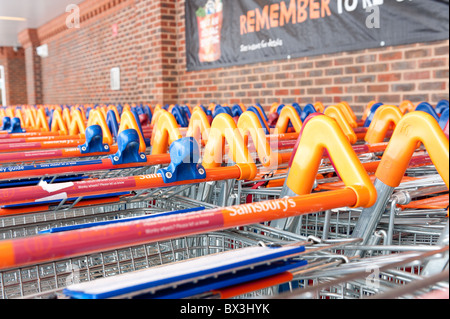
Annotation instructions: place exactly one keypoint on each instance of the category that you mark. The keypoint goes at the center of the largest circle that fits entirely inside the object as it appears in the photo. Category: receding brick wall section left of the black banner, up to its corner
(78, 67)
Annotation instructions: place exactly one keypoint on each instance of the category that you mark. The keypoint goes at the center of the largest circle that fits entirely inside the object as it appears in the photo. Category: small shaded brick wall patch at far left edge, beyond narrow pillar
(13, 62)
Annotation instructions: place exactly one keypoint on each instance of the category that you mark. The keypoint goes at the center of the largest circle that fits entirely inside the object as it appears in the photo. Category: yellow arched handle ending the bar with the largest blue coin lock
(223, 129)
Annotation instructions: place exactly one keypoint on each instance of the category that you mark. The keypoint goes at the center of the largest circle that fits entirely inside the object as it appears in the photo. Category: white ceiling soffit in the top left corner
(18, 15)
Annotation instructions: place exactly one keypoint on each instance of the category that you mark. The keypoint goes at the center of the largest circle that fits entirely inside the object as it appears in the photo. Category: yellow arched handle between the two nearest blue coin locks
(164, 132)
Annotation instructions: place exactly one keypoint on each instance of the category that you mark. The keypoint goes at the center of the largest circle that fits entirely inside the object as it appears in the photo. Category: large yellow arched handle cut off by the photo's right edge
(413, 128)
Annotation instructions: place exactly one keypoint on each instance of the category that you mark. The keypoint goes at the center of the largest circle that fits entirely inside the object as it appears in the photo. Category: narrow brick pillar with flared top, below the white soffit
(30, 41)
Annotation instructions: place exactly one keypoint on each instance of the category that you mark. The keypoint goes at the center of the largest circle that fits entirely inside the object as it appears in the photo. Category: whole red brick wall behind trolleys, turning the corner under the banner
(150, 50)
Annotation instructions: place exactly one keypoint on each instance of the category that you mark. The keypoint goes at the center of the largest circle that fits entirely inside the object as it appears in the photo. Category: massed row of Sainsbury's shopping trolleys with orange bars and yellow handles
(135, 201)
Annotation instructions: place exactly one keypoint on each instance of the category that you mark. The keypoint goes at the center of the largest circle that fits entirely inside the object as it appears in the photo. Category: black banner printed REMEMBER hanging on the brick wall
(223, 33)
